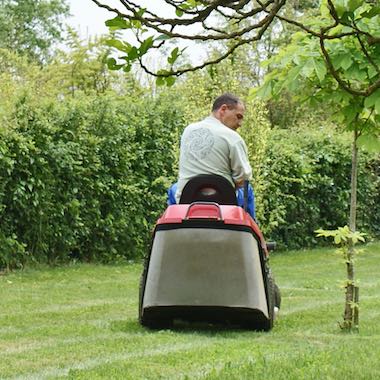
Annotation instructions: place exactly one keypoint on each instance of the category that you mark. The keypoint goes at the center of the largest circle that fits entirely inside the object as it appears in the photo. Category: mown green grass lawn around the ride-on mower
(80, 322)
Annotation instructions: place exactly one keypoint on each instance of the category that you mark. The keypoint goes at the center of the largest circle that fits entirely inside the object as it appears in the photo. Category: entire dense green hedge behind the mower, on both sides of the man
(86, 179)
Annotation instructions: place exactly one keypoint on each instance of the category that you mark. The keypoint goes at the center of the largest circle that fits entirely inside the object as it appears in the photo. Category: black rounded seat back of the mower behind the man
(209, 188)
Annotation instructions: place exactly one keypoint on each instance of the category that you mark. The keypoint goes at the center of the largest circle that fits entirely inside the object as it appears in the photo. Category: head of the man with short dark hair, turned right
(229, 110)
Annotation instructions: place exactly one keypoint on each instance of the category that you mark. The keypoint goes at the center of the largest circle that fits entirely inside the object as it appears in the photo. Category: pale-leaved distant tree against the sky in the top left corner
(32, 27)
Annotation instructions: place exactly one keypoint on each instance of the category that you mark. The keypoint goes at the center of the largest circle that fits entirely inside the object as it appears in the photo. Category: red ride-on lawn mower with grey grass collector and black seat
(208, 262)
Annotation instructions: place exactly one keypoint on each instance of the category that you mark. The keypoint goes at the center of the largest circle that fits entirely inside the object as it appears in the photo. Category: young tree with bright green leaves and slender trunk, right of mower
(335, 64)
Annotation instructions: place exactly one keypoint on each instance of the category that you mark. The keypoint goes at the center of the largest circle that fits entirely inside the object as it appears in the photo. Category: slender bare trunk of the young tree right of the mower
(351, 312)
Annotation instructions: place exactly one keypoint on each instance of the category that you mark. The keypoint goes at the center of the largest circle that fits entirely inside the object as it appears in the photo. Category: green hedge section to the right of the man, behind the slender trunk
(307, 186)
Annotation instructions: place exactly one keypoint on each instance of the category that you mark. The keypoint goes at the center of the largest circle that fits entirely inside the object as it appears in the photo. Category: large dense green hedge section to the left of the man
(83, 180)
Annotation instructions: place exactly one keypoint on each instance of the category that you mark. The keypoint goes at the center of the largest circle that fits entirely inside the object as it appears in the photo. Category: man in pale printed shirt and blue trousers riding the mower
(212, 146)
